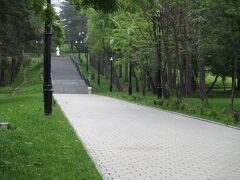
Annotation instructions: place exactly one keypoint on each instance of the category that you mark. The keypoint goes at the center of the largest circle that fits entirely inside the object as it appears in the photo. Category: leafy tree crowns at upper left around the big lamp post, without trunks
(22, 23)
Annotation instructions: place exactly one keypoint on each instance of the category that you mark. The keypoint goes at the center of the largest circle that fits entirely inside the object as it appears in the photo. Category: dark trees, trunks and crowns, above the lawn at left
(21, 32)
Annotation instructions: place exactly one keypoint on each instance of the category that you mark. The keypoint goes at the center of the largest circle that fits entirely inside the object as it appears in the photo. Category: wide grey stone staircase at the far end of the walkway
(66, 78)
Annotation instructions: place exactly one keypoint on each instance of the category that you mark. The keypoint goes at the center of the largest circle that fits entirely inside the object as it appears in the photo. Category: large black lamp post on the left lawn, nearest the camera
(47, 86)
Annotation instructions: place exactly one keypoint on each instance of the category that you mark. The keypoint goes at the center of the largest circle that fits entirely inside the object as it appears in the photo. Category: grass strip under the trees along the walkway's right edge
(218, 109)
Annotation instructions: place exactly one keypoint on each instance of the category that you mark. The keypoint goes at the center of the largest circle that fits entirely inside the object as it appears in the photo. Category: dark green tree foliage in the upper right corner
(220, 33)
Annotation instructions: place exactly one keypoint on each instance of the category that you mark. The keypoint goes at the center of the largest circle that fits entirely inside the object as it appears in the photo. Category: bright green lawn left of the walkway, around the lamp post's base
(37, 146)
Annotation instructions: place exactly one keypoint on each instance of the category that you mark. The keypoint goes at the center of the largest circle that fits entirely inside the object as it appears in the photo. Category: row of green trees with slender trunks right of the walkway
(173, 44)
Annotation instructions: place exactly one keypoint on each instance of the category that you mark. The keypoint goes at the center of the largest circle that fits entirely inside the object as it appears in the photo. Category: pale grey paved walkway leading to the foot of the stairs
(128, 141)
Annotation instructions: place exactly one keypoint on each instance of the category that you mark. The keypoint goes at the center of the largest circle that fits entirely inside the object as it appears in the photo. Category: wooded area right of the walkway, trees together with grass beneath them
(177, 51)
